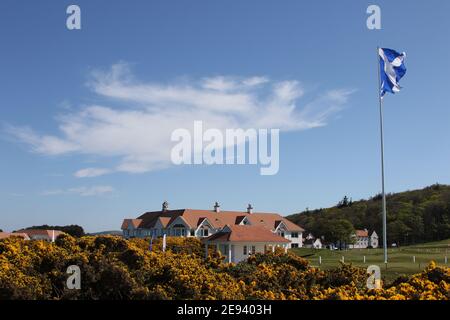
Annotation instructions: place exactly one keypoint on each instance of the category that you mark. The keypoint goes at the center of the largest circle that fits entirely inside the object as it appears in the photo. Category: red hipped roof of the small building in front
(248, 233)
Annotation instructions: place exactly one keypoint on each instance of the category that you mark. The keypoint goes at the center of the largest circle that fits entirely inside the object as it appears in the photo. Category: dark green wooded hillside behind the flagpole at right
(412, 217)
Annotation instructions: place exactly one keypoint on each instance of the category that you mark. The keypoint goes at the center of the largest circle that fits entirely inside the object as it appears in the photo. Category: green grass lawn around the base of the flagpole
(400, 260)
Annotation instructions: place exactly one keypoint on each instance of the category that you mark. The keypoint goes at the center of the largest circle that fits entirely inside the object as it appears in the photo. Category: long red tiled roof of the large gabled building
(216, 219)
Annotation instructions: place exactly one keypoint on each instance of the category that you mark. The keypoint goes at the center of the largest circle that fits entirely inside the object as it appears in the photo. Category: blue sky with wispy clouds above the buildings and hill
(69, 98)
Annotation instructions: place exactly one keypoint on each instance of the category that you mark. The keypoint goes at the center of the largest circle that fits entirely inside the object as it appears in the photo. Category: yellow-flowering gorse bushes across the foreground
(114, 268)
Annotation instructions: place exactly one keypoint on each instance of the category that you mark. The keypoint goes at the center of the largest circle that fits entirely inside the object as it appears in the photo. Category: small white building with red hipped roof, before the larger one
(238, 242)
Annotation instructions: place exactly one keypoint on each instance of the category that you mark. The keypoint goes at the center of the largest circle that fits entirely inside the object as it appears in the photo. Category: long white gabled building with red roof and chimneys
(205, 223)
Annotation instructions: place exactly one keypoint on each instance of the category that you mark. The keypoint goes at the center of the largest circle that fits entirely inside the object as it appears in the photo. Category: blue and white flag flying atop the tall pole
(392, 69)
